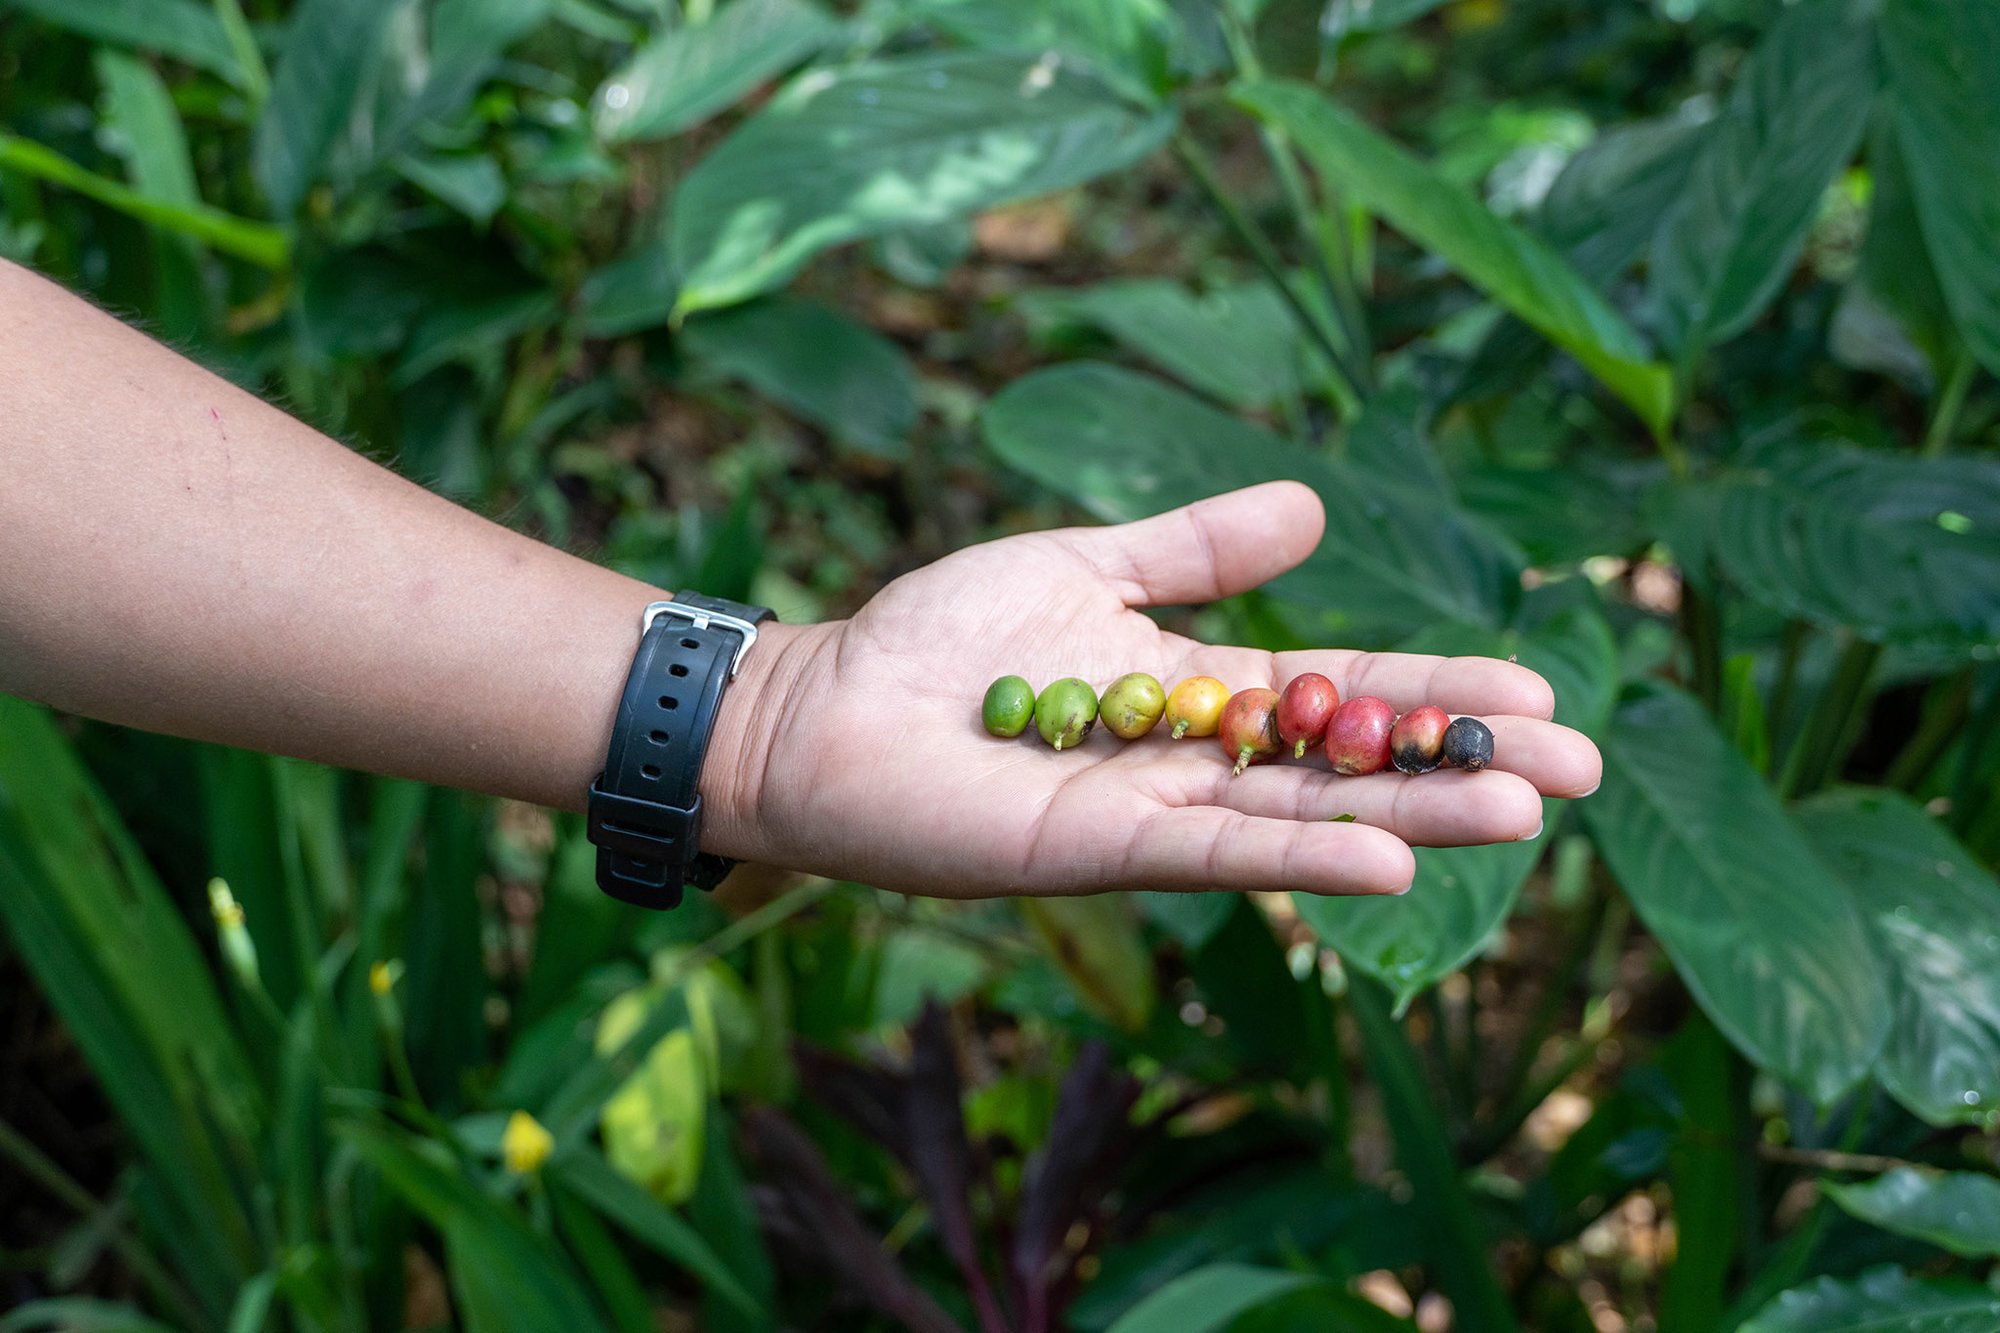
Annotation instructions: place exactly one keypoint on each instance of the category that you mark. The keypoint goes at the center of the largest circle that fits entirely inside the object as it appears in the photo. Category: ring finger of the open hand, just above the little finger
(1437, 810)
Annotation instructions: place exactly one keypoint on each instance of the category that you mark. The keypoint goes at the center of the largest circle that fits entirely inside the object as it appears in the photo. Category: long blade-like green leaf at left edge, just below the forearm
(117, 962)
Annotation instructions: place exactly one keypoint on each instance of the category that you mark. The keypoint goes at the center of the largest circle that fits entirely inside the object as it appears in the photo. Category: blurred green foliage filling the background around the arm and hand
(1645, 343)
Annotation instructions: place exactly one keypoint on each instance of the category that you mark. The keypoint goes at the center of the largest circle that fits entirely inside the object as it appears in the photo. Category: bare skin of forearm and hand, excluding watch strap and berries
(181, 557)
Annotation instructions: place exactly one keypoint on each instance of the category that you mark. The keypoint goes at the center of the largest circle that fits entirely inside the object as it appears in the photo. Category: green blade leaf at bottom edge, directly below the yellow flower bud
(503, 1274)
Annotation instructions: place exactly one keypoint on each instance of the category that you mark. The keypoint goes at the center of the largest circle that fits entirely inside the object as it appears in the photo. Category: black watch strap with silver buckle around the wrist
(647, 808)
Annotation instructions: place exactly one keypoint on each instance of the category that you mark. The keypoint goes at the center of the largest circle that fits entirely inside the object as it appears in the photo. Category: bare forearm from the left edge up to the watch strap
(183, 557)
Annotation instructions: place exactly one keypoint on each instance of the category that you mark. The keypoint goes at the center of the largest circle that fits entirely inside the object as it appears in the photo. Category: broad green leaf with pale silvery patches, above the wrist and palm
(843, 155)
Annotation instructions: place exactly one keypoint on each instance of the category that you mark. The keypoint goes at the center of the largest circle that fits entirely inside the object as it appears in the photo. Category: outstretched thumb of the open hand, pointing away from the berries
(1215, 547)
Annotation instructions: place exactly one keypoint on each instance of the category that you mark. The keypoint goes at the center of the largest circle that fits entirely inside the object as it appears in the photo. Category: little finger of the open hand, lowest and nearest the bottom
(1209, 848)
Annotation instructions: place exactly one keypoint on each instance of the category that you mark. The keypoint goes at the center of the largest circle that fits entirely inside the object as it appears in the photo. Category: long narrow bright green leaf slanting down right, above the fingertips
(1497, 257)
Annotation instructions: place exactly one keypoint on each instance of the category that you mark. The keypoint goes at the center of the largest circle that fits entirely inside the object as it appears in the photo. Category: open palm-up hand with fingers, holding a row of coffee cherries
(863, 758)
